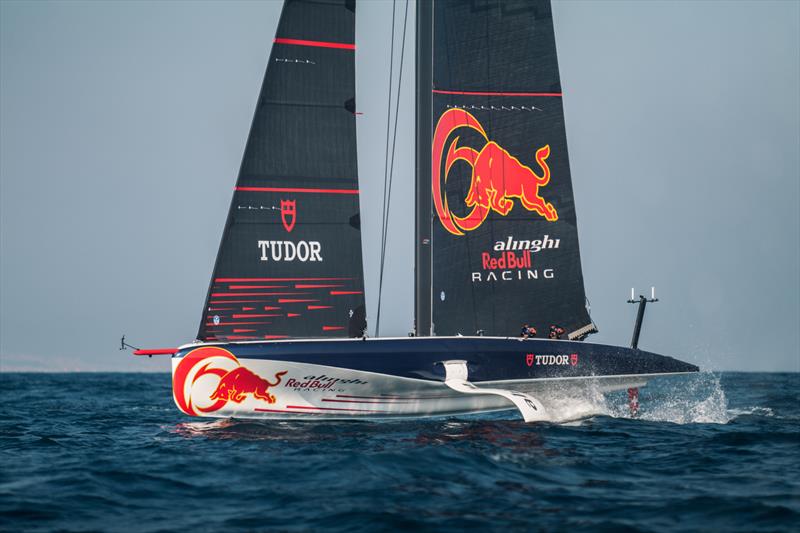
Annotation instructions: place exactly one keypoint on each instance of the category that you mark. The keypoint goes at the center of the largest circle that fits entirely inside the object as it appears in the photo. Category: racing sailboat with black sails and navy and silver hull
(282, 333)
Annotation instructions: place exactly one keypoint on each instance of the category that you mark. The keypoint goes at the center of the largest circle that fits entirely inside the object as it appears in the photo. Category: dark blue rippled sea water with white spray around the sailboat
(110, 452)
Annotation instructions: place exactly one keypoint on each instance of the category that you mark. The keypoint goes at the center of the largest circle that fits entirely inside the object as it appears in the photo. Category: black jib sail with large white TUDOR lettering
(289, 264)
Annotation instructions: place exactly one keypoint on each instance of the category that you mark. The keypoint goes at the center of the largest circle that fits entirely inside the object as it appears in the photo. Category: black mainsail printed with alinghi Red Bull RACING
(504, 236)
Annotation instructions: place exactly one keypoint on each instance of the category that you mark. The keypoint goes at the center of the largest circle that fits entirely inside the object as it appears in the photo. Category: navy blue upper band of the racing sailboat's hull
(489, 359)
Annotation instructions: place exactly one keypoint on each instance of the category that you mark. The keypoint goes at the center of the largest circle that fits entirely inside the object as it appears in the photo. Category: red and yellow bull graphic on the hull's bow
(216, 369)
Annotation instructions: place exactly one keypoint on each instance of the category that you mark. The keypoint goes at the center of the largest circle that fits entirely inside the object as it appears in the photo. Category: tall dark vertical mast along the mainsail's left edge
(423, 215)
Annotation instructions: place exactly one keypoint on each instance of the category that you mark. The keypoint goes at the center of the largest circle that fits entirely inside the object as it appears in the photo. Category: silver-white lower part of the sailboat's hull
(309, 391)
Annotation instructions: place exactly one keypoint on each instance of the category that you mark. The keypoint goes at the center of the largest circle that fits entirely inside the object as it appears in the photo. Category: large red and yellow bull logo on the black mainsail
(497, 176)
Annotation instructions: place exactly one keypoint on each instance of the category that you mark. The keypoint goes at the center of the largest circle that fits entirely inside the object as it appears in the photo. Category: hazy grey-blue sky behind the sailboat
(122, 126)
